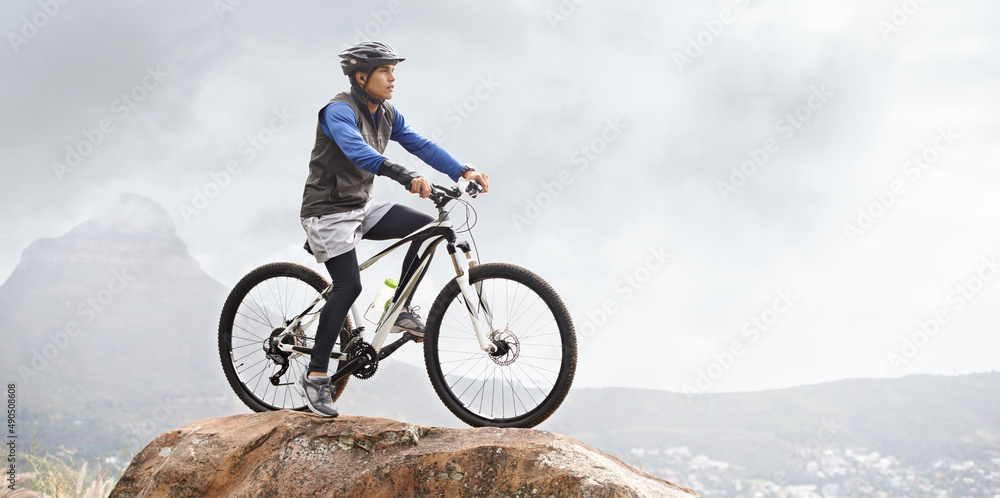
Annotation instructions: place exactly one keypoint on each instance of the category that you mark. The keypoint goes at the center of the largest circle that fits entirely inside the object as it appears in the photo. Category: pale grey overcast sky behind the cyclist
(724, 193)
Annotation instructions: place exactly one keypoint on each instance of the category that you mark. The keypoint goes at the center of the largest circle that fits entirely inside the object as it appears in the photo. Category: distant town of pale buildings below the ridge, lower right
(830, 473)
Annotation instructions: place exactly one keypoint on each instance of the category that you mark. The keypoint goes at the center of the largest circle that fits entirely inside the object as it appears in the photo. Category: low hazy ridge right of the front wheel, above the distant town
(917, 419)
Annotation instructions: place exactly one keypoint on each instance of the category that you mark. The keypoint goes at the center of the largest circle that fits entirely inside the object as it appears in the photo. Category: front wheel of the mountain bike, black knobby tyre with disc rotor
(527, 378)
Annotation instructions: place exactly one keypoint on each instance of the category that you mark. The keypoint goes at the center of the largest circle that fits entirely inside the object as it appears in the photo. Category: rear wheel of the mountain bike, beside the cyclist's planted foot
(261, 305)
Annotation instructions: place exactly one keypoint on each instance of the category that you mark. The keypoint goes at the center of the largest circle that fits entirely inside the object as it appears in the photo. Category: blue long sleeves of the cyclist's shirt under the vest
(338, 122)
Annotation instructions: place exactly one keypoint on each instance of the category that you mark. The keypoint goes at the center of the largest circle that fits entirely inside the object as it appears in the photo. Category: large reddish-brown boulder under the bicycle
(288, 453)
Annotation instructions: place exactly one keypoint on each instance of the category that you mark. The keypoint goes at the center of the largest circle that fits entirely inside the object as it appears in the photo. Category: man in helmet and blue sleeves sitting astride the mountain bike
(337, 207)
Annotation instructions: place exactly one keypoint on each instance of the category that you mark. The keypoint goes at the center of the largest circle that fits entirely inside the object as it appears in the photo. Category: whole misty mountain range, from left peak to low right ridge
(109, 333)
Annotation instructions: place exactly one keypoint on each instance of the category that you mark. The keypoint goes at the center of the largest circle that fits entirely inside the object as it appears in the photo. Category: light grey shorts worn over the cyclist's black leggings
(334, 234)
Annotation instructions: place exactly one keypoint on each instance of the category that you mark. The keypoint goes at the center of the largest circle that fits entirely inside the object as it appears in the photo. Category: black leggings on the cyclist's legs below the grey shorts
(398, 222)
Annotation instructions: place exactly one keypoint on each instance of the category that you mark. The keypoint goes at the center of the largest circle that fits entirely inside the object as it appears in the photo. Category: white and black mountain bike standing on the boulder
(499, 344)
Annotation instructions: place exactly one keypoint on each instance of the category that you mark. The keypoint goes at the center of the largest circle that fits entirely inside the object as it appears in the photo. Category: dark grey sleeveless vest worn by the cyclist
(335, 184)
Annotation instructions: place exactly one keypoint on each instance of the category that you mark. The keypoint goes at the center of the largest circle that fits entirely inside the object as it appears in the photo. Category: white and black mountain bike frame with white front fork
(440, 230)
